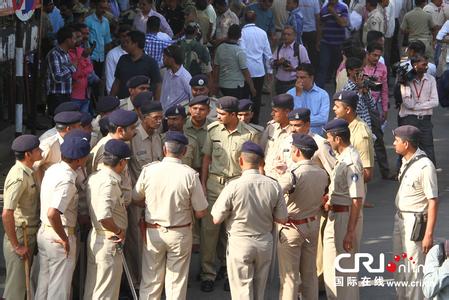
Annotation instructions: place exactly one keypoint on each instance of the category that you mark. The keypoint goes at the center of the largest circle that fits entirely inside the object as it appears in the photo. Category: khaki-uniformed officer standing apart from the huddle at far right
(417, 196)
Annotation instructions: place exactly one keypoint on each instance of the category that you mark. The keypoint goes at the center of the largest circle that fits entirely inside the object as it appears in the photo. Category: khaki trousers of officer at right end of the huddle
(334, 233)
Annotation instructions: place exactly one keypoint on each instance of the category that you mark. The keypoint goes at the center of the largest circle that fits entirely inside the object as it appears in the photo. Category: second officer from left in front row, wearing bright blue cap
(56, 235)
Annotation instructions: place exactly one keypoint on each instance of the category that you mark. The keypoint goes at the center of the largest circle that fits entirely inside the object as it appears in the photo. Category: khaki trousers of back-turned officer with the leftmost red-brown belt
(166, 261)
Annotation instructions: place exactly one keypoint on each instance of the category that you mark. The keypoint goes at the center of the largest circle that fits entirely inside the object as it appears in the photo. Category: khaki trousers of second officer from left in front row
(56, 270)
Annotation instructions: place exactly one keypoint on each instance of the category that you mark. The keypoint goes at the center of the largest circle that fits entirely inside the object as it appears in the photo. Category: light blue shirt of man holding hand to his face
(317, 100)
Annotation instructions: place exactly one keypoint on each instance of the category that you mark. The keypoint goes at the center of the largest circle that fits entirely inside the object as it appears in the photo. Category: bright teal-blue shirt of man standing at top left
(100, 33)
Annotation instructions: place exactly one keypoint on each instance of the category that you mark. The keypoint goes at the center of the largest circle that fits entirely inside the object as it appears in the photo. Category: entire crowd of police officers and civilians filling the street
(159, 149)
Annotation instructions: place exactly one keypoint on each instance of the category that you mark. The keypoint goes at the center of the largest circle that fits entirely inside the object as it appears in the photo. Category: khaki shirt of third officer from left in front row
(105, 199)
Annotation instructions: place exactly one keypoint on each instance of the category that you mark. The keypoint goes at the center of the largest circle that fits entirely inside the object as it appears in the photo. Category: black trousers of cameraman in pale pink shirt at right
(424, 124)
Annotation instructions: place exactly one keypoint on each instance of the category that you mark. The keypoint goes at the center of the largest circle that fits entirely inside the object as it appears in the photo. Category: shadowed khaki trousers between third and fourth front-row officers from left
(134, 243)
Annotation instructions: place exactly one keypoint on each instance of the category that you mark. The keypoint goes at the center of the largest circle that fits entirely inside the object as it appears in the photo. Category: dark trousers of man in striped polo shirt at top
(330, 58)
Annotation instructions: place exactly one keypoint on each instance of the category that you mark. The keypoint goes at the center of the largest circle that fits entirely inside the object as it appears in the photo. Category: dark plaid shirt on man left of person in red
(59, 72)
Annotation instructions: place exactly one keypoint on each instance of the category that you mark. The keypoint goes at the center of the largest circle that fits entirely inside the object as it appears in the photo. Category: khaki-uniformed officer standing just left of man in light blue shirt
(276, 132)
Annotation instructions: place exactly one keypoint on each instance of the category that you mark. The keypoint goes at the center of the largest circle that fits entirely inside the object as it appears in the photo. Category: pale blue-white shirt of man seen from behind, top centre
(255, 43)
